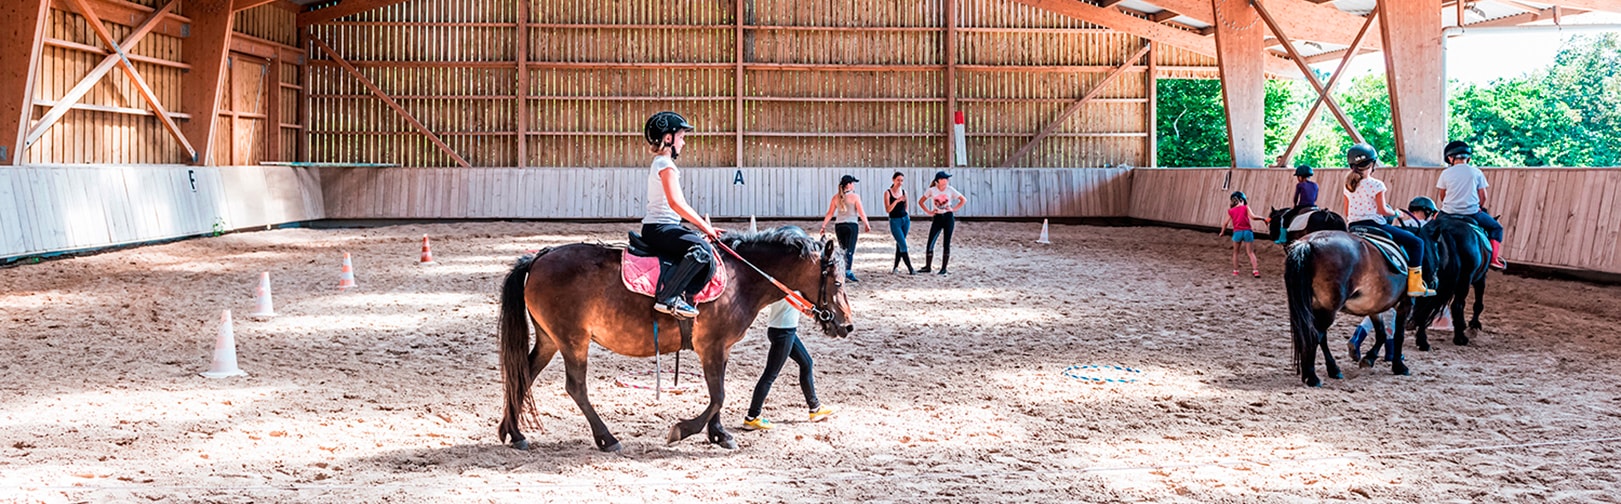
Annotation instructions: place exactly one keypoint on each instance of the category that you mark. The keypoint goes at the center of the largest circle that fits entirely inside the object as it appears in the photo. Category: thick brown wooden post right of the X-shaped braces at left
(205, 51)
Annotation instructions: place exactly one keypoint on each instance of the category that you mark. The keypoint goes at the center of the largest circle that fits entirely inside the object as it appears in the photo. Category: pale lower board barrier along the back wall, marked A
(768, 194)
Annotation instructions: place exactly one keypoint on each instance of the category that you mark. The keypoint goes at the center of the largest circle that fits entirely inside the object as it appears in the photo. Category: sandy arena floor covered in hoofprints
(951, 390)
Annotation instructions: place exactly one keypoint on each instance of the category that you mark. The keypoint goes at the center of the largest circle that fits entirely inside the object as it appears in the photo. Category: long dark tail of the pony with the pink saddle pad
(515, 346)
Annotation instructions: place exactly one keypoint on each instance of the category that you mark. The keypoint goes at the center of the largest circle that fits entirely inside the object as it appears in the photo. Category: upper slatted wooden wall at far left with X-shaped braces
(114, 126)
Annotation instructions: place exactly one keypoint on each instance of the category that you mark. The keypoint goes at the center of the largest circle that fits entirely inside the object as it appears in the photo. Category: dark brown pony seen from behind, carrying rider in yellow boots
(1337, 271)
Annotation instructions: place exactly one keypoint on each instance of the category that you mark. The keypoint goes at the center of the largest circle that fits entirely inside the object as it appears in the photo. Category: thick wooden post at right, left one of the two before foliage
(1241, 53)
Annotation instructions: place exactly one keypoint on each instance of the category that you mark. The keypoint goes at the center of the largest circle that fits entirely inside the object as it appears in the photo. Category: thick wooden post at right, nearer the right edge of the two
(1413, 66)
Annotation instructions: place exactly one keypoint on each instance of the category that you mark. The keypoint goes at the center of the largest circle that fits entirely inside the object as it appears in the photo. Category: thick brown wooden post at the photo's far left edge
(24, 35)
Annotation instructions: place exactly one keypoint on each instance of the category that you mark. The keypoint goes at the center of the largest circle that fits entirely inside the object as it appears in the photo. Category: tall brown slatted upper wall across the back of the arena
(769, 83)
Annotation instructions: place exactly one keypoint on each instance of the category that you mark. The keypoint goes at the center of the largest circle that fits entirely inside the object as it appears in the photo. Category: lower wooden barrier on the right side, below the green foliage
(1567, 218)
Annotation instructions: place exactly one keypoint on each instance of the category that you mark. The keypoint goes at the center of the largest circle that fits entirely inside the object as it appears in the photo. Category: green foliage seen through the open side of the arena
(1568, 114)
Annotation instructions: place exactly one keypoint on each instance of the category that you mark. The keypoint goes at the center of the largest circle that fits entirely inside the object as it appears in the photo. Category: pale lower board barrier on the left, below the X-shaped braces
(56, 208)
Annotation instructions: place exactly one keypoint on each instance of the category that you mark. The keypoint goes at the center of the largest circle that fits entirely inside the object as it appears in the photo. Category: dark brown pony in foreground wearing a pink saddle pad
(575, 296)
